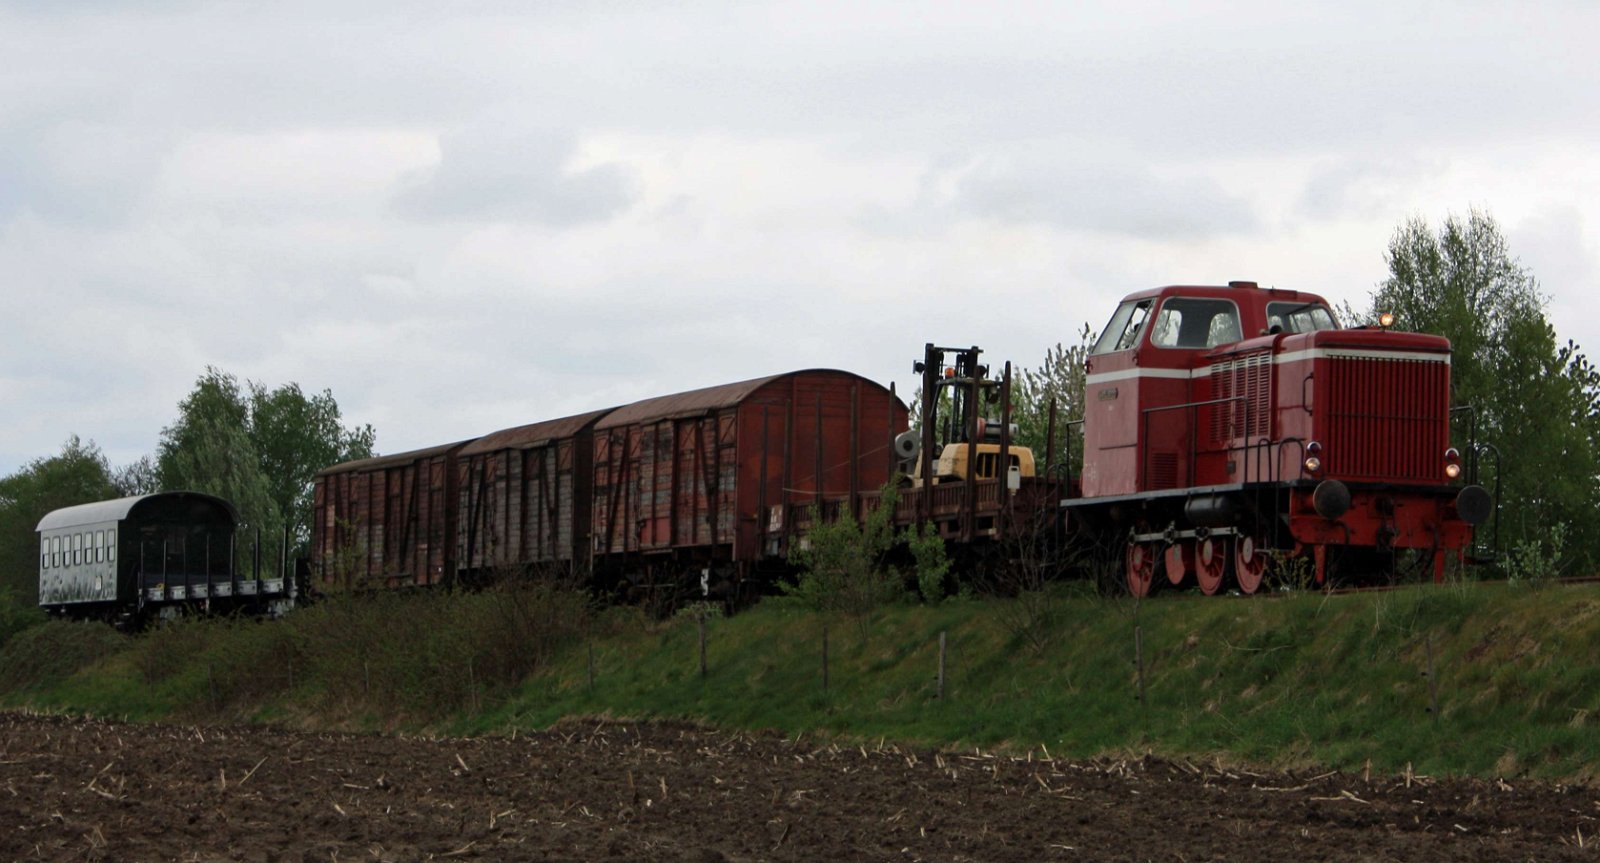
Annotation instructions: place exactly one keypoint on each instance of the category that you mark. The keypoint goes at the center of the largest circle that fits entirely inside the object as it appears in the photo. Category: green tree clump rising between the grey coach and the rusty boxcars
(260, 449)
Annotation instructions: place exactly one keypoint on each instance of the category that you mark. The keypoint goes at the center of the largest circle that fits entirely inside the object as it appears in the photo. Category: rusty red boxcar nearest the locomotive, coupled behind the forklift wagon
(690, 484)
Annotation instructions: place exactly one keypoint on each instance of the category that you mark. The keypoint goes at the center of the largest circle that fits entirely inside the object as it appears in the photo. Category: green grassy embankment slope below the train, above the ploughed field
(1302, 680)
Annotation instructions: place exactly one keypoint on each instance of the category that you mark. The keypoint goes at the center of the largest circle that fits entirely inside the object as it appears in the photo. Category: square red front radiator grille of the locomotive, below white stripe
(1388, 419)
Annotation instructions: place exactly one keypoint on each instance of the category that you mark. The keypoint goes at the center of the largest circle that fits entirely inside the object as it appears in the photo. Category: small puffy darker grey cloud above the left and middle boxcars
(492, 172)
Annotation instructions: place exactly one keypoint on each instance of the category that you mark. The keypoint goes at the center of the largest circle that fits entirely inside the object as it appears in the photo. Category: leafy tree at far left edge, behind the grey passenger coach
(79, 475)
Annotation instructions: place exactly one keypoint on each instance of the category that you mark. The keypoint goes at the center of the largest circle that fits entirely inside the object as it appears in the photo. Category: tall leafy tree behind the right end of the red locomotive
(1537, 404)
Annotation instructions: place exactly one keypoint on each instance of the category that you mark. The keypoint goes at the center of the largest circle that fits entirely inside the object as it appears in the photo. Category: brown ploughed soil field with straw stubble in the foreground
(89, 790)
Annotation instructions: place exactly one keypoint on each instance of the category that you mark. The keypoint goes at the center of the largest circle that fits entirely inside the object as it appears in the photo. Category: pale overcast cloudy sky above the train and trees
(468, 217)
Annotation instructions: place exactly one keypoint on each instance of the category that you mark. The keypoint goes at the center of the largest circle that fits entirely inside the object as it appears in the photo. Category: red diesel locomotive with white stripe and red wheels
(1230, 428)
